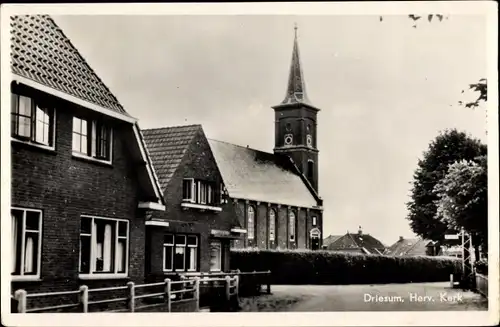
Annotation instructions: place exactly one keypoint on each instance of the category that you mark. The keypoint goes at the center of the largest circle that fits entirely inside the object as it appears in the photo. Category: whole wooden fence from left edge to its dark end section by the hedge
(137, 297)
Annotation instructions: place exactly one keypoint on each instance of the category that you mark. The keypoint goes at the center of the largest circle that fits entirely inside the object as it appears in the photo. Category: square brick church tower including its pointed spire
(296, 123)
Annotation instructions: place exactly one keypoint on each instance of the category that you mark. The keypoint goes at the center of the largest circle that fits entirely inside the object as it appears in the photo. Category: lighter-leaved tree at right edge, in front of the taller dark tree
(462, 199)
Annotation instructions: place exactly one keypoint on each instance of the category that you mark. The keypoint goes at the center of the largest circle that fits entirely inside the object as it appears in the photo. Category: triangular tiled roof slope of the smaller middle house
(167, 146)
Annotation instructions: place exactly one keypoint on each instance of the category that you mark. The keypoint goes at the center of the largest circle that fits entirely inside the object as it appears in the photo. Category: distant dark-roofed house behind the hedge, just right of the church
(354, 243)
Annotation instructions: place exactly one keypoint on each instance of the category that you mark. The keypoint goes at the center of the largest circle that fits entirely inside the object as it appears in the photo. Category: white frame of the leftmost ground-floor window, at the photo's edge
(22, 275)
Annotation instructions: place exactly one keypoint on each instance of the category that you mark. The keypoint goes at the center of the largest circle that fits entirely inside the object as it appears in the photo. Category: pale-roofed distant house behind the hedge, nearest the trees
(413, 247)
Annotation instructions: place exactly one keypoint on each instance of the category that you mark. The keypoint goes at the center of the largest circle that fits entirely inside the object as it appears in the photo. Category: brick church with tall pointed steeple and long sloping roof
(276, 194)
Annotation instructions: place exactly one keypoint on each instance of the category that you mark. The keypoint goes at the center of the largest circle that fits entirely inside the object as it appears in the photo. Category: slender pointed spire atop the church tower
(296, 89)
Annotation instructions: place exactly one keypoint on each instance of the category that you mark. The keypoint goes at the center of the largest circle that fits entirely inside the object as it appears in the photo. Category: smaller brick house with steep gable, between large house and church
(194, 232)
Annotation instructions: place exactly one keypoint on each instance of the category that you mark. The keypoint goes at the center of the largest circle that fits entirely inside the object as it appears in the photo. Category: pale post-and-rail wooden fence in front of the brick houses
(174, 292)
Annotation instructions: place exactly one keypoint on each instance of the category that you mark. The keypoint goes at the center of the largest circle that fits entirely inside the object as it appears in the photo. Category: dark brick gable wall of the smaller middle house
(198, 163)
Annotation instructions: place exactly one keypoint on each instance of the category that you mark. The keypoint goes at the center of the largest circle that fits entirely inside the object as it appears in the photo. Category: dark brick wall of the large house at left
(65, 188)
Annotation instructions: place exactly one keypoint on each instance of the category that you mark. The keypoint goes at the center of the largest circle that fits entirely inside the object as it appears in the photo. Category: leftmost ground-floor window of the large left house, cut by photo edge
(26, 241)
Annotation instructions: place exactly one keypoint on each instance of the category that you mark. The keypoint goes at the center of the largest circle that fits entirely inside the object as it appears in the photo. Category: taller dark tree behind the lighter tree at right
(448, 147)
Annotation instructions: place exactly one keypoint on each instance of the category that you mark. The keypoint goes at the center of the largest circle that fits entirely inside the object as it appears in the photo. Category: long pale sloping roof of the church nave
(256, 175)
